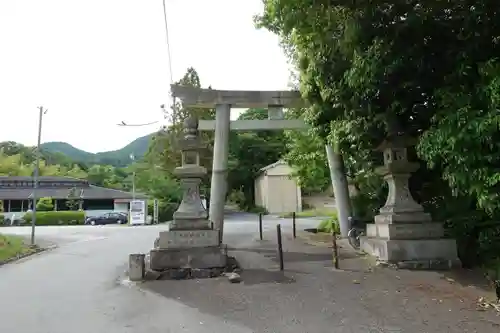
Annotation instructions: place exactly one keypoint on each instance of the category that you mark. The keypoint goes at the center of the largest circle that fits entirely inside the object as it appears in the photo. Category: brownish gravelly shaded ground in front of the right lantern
(310, 296)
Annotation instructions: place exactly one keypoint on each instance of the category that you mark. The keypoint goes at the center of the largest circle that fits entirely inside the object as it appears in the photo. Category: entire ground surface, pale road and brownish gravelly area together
(81, 287)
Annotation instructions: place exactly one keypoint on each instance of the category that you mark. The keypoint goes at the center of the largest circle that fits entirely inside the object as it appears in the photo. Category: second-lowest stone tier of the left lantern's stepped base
(179, 239)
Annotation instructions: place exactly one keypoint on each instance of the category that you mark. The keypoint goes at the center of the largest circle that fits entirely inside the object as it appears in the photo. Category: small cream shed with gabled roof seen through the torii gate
(276, 190)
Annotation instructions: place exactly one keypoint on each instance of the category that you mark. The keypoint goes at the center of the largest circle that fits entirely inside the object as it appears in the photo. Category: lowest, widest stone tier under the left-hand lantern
(197, 257)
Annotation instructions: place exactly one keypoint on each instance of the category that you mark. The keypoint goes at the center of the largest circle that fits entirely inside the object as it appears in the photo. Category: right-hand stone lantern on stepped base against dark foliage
(403, 233)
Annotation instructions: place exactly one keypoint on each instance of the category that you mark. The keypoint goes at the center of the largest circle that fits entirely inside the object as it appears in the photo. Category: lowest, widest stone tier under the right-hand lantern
(416, 252)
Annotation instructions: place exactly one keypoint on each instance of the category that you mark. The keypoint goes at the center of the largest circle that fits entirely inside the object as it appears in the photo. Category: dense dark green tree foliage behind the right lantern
(428, 69)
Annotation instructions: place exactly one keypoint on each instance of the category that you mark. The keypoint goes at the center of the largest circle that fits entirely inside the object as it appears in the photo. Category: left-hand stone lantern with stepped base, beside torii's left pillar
(190, 244)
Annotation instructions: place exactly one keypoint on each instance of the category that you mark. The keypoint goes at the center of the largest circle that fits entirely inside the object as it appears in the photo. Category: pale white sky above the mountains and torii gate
(95, 63)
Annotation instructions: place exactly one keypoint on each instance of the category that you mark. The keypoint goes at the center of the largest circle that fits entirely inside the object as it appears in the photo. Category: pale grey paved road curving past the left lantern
(78, 287)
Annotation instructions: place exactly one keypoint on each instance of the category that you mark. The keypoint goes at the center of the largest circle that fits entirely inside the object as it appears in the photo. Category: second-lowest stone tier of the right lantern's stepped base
(405, 231)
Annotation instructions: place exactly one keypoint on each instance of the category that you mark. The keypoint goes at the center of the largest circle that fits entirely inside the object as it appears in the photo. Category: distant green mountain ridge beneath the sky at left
(119, 158)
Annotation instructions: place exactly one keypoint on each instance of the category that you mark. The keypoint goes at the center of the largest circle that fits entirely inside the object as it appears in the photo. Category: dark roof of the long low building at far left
(21, 188)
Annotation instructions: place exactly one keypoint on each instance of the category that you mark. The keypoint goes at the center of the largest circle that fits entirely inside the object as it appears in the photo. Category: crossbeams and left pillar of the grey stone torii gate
(223, 101)
